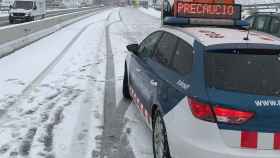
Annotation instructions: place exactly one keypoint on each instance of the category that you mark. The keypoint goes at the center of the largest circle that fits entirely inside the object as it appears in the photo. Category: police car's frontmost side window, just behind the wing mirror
(148, 45)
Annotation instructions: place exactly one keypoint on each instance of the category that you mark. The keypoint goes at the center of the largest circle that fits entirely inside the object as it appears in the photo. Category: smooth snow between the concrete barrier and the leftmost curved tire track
(35, 57)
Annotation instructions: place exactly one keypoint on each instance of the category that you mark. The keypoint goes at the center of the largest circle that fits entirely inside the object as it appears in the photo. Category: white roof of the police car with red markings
(210, 36)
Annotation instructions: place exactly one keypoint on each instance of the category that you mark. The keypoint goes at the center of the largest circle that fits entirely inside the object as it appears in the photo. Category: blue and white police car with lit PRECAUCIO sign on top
(207, 91)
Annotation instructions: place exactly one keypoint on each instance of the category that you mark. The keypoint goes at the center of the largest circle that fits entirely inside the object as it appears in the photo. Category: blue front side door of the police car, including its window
(142, 80)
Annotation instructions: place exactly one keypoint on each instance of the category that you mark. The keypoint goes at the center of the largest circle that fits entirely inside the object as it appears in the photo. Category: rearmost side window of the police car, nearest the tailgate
(183, 58)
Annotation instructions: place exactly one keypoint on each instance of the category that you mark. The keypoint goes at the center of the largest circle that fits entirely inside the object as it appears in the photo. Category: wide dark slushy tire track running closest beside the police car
(114, 141)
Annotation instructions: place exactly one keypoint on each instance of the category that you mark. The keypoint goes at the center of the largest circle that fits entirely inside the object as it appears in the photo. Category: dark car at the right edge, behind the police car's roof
(265, 22)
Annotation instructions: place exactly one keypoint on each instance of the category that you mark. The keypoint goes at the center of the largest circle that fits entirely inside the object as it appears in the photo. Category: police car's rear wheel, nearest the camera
(160, 141)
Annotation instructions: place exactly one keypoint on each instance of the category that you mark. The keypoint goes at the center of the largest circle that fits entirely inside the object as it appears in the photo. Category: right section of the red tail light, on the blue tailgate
(232, 116)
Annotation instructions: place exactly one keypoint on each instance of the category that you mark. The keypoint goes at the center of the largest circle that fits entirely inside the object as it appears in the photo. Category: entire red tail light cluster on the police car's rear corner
(218, 113)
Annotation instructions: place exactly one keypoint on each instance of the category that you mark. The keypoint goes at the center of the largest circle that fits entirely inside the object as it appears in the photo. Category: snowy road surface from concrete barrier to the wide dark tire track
(52, 94)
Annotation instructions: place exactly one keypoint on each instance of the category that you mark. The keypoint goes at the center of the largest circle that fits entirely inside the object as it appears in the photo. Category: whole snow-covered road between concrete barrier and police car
(61, 96)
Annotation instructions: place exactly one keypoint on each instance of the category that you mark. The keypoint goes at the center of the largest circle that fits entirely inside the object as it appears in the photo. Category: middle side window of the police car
(165, 49)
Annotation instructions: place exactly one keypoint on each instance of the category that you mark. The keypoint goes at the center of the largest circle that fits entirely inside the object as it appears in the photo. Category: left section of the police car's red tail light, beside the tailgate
(201, 110)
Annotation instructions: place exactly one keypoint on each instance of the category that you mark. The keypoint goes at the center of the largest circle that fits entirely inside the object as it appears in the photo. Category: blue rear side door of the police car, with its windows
(174, 75)
